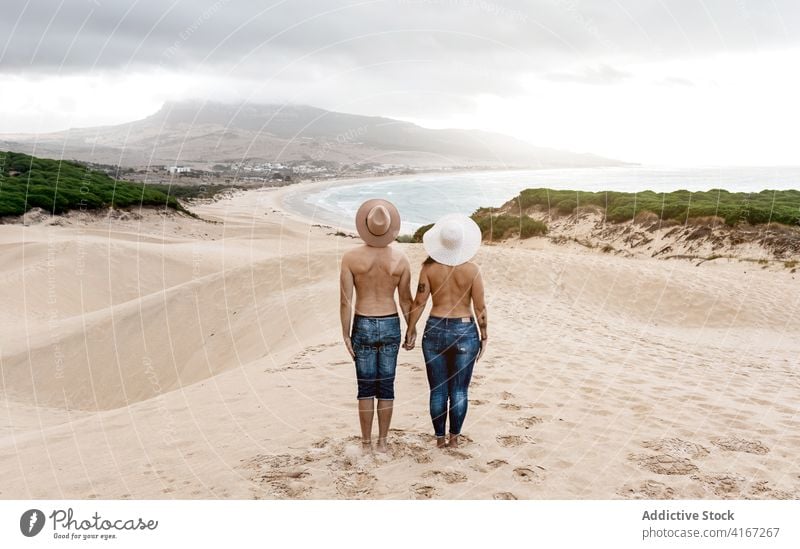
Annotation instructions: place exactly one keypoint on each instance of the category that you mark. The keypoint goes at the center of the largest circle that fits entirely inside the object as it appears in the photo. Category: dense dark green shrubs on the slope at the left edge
(58, 186)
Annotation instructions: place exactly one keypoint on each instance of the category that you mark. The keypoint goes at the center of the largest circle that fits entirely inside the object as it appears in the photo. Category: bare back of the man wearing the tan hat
(377, 273)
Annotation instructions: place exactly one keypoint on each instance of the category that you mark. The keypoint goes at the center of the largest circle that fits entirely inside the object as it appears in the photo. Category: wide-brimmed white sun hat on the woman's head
(453, 240)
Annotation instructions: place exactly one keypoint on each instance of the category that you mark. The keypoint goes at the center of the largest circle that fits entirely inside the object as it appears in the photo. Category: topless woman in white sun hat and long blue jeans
(451, 344)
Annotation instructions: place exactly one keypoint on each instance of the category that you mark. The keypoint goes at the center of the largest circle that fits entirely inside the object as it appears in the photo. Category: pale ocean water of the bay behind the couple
(422, 199)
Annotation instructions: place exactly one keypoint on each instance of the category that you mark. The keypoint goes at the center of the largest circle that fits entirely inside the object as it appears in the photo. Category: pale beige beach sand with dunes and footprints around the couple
(160, 356)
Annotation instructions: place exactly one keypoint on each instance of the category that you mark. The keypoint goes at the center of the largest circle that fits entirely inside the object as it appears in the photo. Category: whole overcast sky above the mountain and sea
(664, 82)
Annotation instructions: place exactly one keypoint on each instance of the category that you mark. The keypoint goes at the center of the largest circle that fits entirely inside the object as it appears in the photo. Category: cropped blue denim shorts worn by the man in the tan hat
(376, 342)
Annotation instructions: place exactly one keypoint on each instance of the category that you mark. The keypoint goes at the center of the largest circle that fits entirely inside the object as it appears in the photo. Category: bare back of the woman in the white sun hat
(451, 288)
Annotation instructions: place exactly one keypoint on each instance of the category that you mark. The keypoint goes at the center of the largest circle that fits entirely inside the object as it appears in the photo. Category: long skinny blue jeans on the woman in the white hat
(450, 347)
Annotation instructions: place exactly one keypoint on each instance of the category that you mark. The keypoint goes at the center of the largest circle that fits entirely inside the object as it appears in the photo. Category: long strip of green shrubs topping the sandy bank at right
(762, 207)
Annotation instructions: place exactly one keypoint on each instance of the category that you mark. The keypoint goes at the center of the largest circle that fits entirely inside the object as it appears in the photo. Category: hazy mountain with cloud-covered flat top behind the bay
(201, 134)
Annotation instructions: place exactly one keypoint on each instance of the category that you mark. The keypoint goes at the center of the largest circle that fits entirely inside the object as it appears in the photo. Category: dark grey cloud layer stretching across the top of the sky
(80, 35)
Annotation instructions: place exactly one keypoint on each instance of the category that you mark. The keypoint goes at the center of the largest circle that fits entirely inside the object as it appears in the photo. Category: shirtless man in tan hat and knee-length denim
(376, 270)
